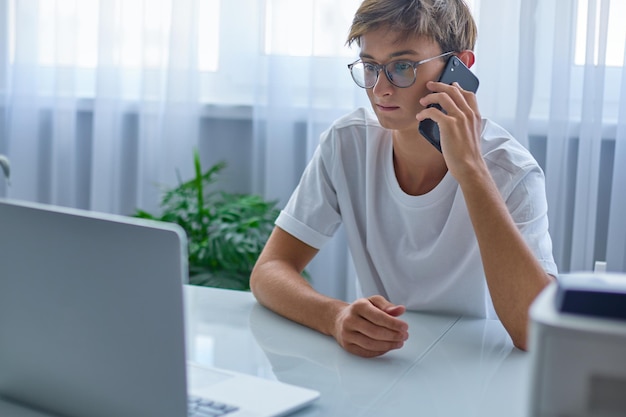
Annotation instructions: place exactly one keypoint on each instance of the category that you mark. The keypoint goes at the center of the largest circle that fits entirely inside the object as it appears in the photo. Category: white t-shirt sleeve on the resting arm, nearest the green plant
(312, 213)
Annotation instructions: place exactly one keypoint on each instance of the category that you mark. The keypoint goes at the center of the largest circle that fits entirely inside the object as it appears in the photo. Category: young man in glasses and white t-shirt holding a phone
(464, 230)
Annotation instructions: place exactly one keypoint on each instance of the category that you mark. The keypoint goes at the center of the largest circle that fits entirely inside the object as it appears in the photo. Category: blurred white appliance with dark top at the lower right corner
(578, 347)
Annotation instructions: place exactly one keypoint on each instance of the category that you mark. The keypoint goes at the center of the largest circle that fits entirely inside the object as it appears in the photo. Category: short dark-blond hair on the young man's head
(447, 22)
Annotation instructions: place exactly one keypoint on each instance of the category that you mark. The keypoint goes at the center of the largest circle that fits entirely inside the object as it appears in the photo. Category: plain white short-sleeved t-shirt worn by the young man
(419, 251)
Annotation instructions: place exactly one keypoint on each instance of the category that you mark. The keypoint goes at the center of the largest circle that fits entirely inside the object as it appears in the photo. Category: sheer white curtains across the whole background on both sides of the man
(103, 101)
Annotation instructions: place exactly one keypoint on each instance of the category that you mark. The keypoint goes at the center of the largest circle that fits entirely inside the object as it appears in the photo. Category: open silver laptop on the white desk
(92, 321)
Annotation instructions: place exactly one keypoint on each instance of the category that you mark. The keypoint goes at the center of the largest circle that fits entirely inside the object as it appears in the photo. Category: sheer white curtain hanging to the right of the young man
(569, 102)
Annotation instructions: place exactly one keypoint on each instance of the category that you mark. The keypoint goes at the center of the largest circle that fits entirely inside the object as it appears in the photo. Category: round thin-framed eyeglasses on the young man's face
(399, 73)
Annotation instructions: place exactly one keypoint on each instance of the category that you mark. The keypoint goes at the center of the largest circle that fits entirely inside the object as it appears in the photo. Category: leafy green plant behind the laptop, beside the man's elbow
(226, 231)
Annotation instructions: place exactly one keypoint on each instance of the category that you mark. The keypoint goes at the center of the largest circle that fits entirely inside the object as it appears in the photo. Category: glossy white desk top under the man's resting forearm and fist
(450, 366)
